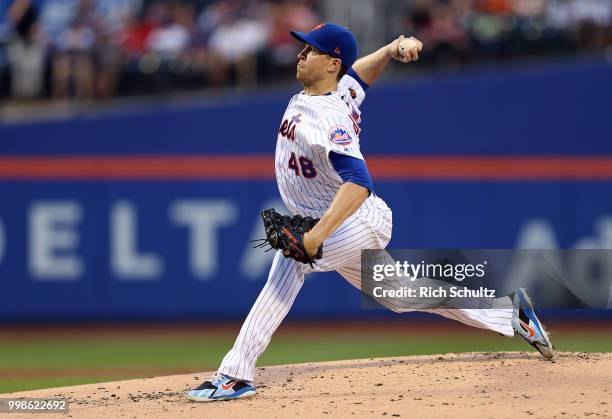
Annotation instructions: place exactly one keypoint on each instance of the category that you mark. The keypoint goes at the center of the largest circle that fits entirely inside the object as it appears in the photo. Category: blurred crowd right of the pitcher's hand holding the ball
(458, 32)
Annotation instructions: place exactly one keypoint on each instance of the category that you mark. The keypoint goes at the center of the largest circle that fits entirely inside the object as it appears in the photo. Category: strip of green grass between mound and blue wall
(33, 363)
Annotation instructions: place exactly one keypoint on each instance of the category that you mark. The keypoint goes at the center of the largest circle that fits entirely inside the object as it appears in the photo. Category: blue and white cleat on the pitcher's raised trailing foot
(526, 323)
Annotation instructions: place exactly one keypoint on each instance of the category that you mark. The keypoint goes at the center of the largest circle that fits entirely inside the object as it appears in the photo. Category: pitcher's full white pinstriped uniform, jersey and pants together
(312, 127)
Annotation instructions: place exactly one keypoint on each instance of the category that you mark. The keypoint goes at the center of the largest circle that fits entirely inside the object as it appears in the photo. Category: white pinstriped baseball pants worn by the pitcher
(342, 253)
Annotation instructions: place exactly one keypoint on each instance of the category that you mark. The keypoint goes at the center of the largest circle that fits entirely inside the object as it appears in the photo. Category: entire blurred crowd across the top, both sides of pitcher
(89, 49)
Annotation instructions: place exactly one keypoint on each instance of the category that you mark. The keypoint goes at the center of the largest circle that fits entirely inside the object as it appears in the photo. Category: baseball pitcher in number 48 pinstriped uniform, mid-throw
(324, 181)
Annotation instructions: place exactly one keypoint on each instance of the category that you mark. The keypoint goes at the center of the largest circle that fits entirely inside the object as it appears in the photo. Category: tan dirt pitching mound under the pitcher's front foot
(501, 384)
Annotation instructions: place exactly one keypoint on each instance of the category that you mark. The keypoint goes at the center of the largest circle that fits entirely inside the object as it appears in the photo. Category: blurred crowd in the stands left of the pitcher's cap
(89, 49)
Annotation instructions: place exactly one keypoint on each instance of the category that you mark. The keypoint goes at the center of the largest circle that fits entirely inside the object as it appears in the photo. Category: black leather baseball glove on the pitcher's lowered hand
(286, 233)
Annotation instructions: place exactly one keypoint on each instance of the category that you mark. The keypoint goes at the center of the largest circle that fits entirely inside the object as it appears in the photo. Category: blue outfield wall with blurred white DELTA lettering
(120, 249)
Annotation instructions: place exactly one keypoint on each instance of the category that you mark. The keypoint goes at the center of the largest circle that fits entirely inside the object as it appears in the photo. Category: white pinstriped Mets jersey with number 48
(311, 127)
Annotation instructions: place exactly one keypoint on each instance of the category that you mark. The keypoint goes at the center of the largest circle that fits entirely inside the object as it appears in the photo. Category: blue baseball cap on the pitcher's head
(332, 39)
